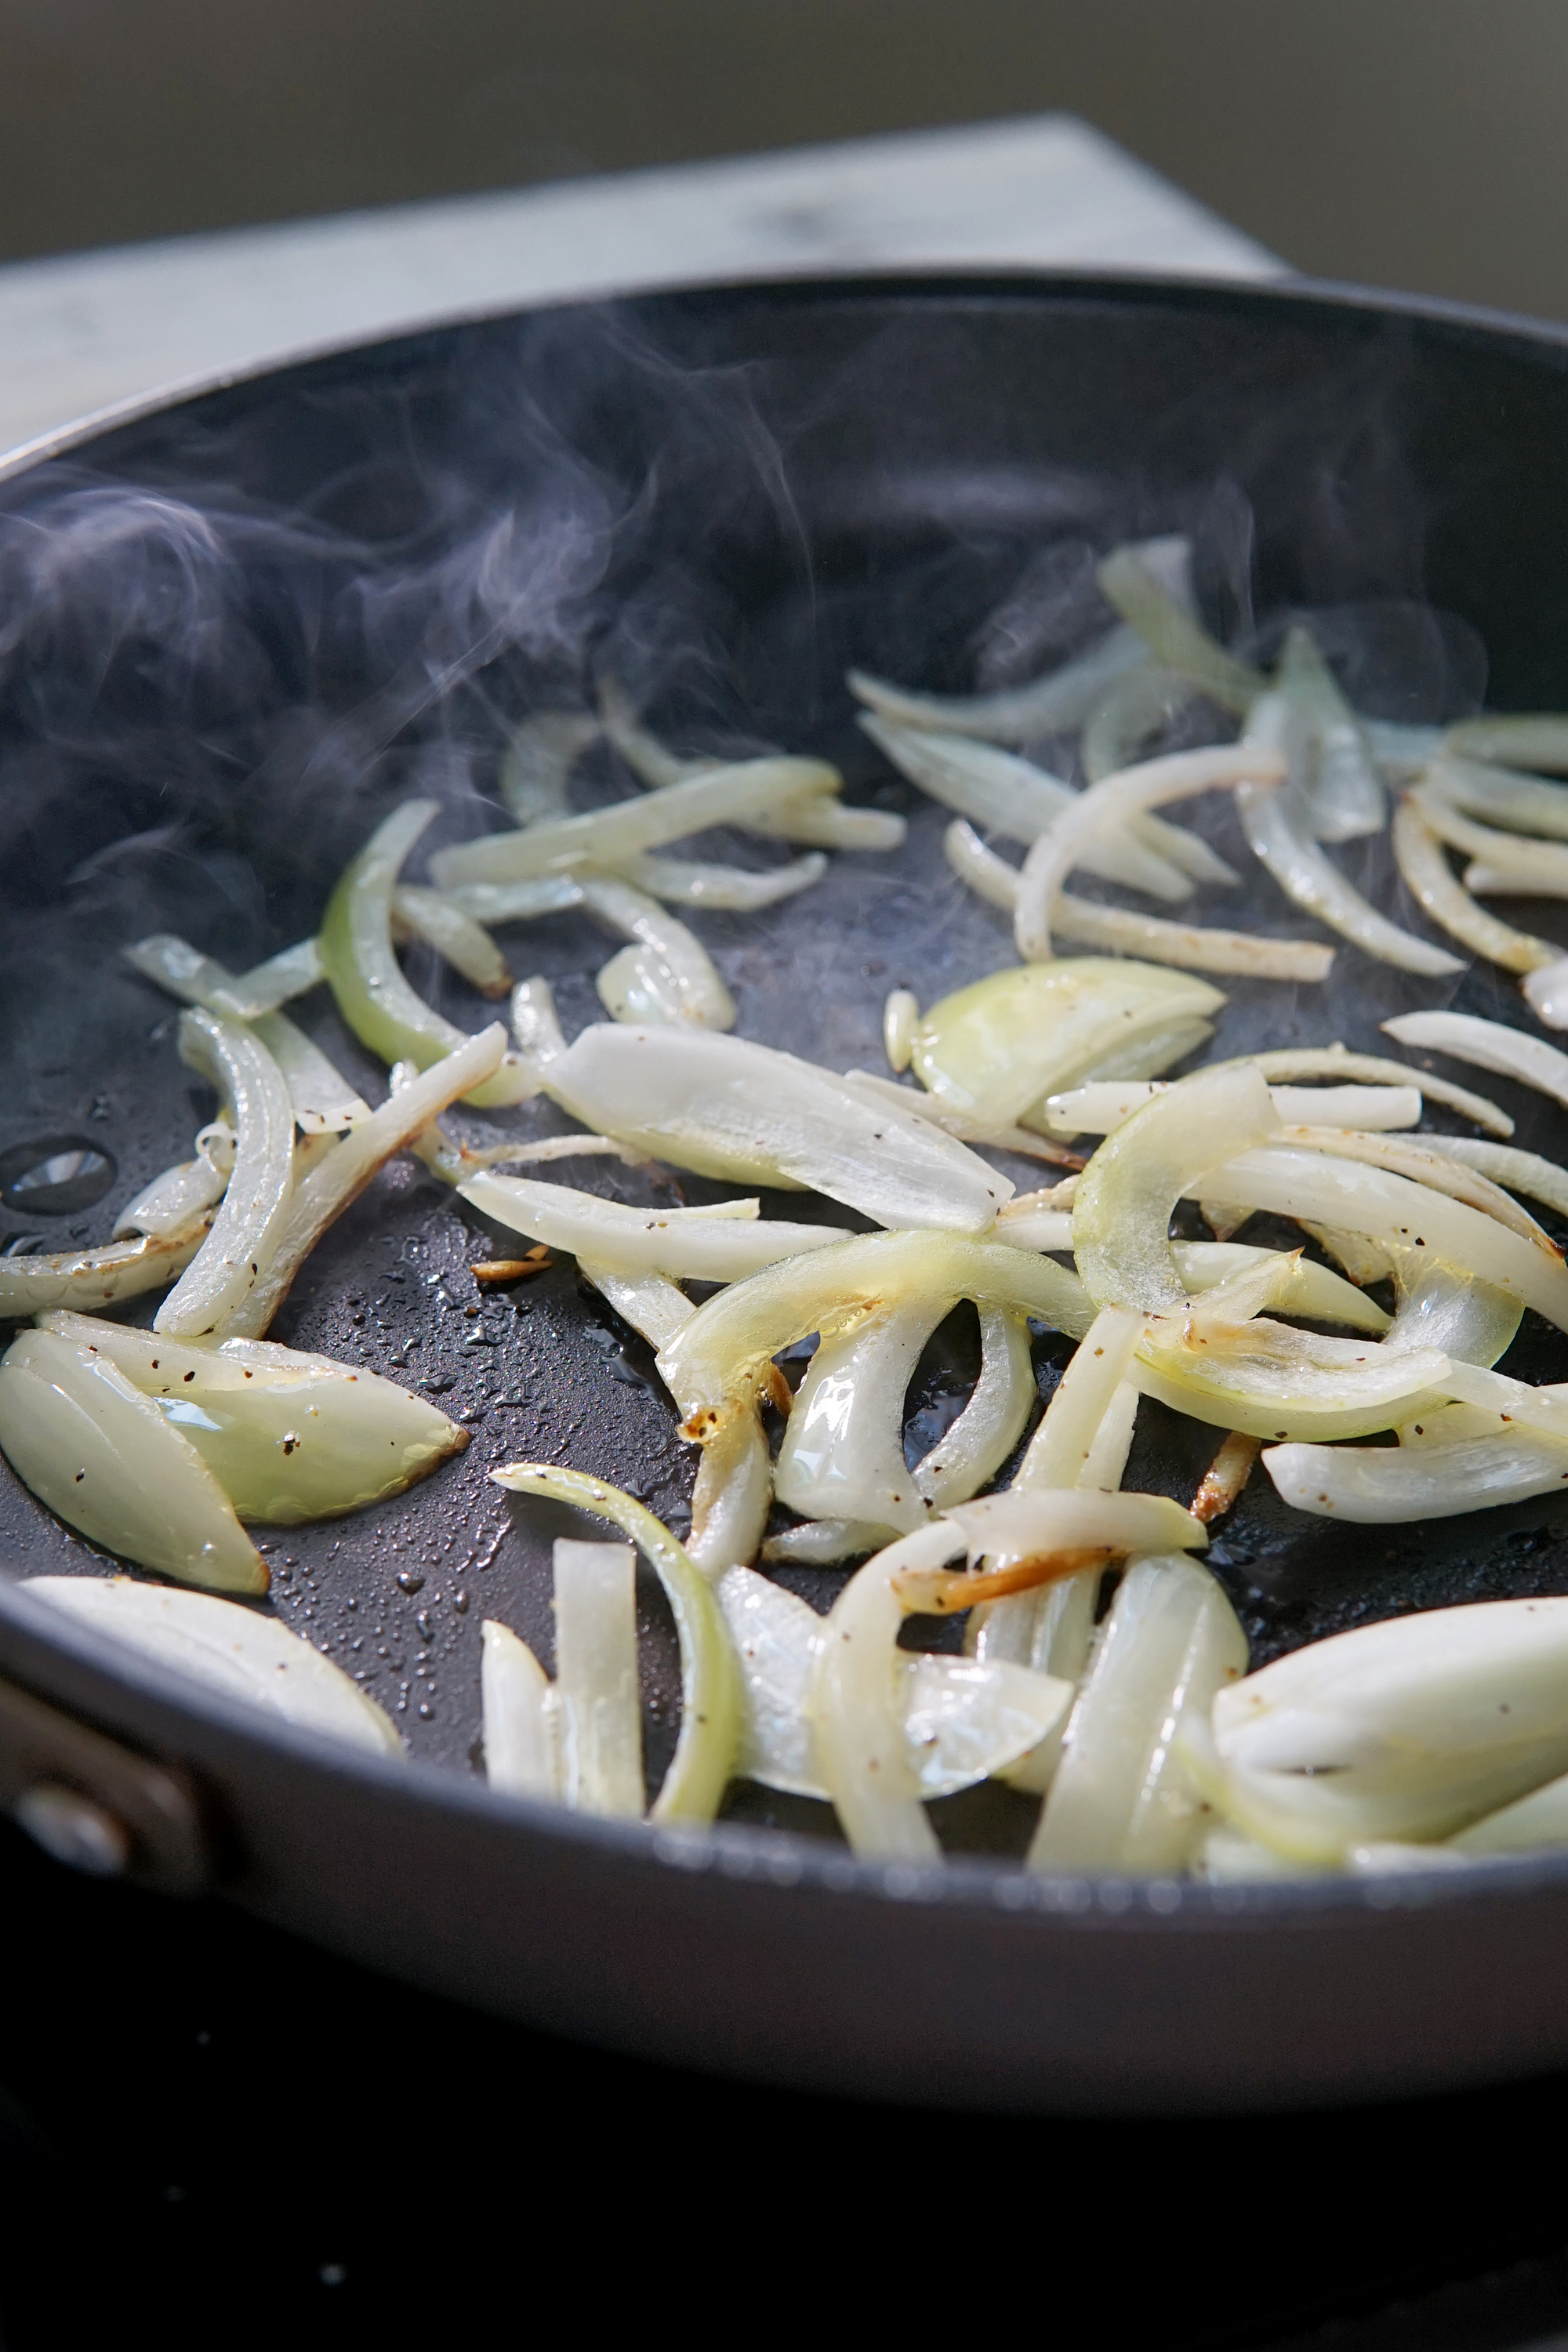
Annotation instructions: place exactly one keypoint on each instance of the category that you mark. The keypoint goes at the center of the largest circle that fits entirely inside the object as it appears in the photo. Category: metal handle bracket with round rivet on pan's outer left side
(95, 1805)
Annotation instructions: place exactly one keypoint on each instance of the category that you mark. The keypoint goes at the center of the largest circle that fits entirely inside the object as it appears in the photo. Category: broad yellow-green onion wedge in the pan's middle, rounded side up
(1003, 1045)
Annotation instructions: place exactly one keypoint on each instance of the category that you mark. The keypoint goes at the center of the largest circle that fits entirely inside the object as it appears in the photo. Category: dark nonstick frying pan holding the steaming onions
(239, 627)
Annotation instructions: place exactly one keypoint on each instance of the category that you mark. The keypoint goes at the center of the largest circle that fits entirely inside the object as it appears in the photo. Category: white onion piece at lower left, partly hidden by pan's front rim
(232, 1652)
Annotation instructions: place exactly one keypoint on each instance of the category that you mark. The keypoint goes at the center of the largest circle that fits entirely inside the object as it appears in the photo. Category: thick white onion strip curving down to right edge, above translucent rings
(1374, 1201)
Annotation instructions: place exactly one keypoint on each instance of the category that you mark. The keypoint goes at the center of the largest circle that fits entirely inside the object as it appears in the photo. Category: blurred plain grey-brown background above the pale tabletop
(1400, 142)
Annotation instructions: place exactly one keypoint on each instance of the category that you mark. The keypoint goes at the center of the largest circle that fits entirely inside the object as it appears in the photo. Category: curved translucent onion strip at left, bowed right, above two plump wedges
(250, 1224)
